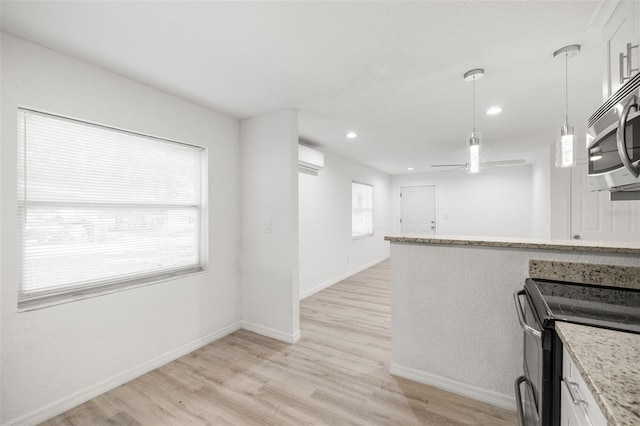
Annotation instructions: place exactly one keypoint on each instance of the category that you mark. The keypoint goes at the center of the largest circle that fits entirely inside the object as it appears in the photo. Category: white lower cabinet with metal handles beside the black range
(578, 406)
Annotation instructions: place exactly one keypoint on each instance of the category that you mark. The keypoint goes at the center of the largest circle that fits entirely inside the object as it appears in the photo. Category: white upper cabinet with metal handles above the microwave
(621, 34)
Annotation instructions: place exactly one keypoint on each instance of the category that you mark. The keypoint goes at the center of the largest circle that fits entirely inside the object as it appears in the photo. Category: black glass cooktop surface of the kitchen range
(610, 307)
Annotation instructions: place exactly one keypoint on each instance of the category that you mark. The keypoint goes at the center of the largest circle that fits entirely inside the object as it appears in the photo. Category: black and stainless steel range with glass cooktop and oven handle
(539, 305)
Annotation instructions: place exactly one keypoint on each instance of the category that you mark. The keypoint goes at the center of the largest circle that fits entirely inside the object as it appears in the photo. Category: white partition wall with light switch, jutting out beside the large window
(269, 158)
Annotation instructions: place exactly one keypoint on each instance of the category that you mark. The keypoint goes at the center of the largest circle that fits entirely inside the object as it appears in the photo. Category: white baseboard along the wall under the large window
(77, 398)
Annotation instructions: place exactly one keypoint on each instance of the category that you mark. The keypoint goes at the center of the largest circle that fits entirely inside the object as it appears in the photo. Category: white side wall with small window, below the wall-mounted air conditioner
(328, 254)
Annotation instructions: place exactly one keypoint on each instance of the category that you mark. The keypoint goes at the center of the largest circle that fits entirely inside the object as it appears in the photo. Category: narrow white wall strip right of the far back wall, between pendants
(541, 193)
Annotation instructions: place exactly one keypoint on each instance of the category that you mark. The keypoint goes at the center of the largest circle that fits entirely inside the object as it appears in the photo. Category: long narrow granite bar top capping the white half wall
(525, 243)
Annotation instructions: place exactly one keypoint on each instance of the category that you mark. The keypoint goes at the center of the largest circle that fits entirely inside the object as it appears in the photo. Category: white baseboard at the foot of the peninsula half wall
(454, 386)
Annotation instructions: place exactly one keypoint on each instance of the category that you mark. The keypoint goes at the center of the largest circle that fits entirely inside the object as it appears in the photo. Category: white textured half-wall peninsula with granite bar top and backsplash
(454, 324)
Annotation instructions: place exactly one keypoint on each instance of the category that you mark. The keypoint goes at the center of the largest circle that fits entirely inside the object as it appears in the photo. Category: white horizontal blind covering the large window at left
(102, 208)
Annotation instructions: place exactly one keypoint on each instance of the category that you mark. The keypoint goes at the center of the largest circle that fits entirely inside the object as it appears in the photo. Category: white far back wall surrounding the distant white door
(495, 202)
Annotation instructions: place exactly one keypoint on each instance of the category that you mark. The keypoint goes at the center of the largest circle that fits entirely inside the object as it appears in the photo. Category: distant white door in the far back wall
(418, 210)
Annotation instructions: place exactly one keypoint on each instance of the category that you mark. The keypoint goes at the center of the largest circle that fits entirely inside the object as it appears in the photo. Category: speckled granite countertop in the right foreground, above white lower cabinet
(609, 361)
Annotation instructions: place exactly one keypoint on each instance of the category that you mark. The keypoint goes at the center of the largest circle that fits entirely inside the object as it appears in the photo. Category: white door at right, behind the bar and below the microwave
(595, 217)
